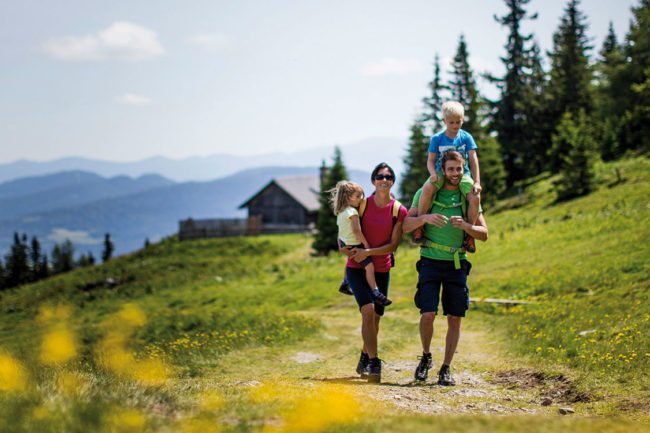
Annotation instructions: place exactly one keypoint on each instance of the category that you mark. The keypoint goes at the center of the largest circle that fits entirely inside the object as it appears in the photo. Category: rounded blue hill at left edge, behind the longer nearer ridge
(68, 189)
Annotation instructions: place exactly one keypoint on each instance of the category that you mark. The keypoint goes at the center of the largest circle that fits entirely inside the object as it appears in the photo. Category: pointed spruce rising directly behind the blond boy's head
(462, 87)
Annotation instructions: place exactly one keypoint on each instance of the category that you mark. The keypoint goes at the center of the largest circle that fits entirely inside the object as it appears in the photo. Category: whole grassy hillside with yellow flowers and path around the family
(249, 334)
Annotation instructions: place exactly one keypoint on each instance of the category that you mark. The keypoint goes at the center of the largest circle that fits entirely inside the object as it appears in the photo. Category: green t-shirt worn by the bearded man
(447, 235)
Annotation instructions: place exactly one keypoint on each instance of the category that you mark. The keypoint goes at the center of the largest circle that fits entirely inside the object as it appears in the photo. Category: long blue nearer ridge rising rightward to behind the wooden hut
(153, 213)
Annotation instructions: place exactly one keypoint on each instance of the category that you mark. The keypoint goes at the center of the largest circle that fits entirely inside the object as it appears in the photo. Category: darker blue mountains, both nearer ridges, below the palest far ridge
(83, 206)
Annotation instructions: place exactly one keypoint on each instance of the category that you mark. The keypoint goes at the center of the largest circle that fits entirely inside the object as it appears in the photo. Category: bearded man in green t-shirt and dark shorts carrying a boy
(443, 262)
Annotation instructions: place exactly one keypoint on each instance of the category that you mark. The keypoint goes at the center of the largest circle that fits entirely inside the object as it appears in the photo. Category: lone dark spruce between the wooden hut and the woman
(325, 239)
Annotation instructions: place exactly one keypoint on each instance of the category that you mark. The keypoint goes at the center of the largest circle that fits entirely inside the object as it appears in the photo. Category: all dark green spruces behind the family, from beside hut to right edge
(559, 120)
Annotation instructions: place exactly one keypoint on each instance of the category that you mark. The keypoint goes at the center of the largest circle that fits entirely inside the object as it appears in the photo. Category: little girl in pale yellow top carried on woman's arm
(345, 200)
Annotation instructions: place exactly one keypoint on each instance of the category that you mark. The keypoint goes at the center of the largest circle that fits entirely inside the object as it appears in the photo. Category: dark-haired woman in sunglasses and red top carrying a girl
(383, 235)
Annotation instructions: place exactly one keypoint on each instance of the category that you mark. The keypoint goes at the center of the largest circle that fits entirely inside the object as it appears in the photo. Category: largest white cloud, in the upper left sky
(120, 41)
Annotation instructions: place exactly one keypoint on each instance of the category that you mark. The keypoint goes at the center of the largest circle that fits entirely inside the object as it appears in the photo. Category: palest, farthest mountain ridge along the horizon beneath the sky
(361, 155)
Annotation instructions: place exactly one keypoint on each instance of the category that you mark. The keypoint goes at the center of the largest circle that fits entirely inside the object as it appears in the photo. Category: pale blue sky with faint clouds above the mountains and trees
(125, 80)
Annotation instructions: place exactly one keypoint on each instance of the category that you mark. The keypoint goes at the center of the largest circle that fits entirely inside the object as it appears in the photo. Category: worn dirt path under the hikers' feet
(488, 382)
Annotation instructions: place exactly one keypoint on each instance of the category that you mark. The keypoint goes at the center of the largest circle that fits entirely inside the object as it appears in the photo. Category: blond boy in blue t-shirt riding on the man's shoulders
(452, 138)
